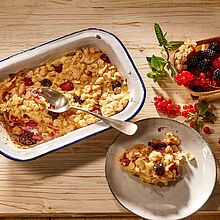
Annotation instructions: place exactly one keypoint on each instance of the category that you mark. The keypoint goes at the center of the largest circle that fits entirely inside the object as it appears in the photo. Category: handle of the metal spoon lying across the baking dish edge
(122, 126)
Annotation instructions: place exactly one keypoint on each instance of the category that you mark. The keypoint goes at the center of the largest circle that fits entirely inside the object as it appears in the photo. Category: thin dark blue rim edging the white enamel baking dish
(56, 39)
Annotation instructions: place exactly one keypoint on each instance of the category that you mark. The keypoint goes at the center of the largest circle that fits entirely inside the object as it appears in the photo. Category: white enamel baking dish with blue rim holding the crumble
(33, 57)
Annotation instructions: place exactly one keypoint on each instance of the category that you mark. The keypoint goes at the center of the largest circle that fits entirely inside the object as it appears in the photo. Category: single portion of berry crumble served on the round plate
(159, 162)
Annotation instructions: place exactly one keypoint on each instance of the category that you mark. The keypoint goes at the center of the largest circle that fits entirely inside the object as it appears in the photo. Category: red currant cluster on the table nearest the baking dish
(166, 106)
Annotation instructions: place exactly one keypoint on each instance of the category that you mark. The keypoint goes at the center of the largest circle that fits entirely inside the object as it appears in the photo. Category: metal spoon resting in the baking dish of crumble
(61, 104)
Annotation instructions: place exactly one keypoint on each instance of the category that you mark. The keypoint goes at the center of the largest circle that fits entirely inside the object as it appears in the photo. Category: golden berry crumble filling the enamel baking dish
(86, 77)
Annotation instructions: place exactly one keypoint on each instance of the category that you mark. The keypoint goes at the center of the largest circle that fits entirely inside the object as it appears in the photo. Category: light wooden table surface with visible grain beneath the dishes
(71, 182)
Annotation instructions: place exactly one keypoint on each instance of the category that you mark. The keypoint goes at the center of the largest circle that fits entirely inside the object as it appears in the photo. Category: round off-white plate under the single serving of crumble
(168, 202)
